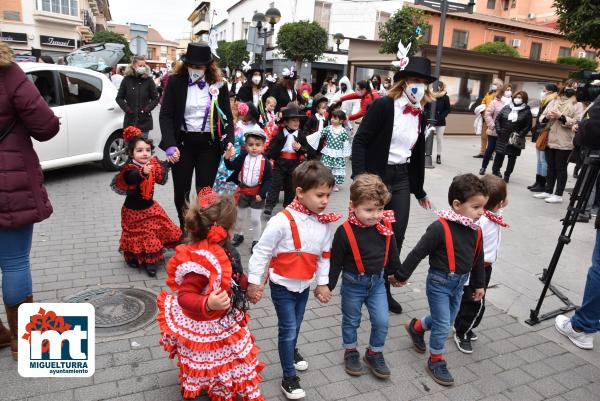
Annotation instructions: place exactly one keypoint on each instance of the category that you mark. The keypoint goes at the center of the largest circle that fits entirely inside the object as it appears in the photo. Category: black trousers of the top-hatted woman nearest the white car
(197, 155)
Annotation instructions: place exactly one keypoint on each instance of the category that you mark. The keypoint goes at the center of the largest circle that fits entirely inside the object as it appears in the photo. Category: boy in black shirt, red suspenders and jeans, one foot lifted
(454, 246)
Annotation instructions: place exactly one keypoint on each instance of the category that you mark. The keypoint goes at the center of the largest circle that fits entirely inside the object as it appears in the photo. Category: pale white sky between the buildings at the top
(169, 17)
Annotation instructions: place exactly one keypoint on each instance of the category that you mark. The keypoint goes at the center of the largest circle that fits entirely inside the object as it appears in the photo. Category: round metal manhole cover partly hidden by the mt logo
(119, 310)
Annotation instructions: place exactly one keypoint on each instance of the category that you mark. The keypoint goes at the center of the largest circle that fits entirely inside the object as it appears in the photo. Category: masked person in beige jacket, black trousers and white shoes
(560, 115)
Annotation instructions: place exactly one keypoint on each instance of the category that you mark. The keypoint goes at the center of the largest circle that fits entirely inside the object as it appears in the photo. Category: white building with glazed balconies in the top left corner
(51, 27)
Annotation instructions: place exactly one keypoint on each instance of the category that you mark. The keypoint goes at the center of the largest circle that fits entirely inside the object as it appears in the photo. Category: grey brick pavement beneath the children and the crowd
(76, 249)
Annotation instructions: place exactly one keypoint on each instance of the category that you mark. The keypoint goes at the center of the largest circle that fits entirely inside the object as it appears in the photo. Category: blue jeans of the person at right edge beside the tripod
(587, 317)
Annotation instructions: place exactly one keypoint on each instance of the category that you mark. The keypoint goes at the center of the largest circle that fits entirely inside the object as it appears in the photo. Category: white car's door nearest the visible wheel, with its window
(86, 117)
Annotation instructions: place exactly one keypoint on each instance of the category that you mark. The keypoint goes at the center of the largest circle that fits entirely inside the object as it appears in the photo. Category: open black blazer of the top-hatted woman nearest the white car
(173, 109)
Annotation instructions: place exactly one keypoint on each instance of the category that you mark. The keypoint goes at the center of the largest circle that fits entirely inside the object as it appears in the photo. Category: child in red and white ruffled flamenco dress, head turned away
(204, 324)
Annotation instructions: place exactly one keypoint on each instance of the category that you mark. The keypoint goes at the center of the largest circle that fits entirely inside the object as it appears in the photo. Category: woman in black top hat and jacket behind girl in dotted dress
(188, 138)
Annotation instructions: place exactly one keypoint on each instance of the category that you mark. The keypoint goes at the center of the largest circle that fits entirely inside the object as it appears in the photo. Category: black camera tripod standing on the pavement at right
(579, 198)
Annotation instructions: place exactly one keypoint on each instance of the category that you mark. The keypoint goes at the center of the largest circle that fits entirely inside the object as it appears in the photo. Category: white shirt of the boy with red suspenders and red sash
(277, 238)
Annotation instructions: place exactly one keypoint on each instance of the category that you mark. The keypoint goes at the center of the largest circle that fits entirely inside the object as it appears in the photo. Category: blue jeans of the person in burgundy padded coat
(15, 245)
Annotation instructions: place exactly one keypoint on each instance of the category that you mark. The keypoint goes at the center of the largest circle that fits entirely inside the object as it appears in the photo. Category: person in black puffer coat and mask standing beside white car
(138, 96)
